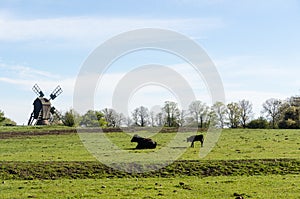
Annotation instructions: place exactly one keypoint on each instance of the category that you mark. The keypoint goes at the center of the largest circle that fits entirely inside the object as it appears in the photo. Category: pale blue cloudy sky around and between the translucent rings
(255, 46)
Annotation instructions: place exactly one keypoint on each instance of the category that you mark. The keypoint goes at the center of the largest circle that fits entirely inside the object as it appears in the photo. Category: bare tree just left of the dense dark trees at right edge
(272, 108)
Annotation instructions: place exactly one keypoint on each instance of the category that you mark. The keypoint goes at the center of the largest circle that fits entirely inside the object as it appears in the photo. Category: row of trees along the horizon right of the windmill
(275, 113)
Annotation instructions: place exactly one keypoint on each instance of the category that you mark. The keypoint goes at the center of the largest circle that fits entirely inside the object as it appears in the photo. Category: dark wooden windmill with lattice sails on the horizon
(42, 109)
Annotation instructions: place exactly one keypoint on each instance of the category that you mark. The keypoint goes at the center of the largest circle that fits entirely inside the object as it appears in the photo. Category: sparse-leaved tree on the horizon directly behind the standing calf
(199, 112)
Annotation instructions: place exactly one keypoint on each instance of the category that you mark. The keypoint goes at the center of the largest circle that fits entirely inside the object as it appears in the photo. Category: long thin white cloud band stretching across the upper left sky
(87, 30)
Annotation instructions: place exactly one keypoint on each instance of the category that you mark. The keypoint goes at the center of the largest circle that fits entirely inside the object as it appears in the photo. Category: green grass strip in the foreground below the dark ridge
(264, 187)
